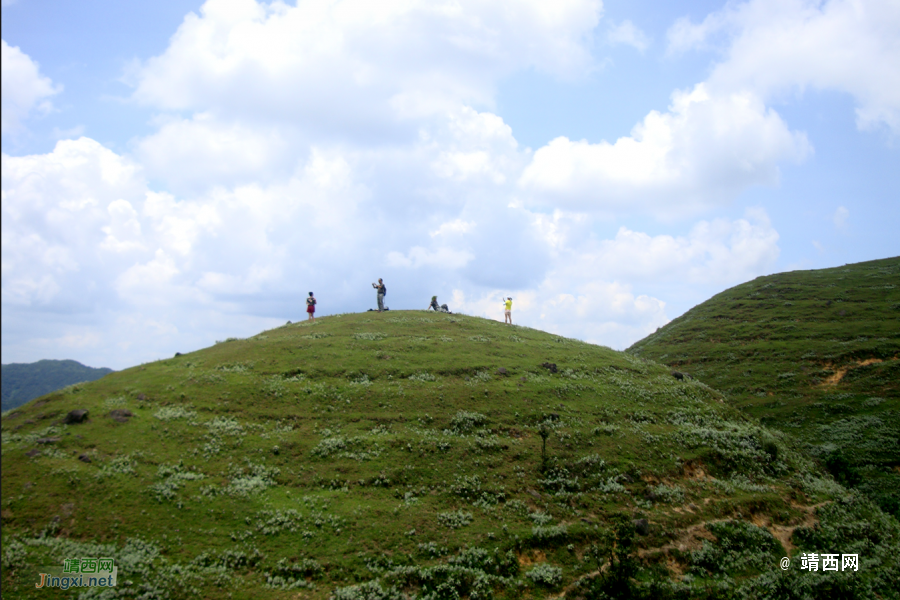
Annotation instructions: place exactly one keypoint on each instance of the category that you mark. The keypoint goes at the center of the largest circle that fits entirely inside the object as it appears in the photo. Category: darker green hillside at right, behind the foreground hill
(813, 353)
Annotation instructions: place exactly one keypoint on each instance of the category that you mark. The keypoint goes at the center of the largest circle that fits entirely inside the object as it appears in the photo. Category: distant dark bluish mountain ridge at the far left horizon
(26, 381)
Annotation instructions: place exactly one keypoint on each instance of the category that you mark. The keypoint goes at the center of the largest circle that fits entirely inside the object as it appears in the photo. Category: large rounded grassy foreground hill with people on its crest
(410, 454)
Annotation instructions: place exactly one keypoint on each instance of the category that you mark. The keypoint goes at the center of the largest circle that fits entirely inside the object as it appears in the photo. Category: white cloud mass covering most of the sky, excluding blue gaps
(320, 146)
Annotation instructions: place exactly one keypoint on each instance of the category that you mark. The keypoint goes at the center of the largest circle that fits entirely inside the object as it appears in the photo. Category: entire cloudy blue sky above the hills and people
(176, 173)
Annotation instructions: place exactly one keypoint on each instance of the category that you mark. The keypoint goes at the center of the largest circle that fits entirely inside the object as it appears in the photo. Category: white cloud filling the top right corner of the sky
(773, 47)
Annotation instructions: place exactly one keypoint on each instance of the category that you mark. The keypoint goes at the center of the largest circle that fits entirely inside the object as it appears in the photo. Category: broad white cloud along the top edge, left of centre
(354, 67)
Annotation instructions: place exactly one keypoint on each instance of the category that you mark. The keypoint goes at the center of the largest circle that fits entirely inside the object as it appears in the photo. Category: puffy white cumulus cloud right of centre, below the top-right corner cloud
(701, 153)
